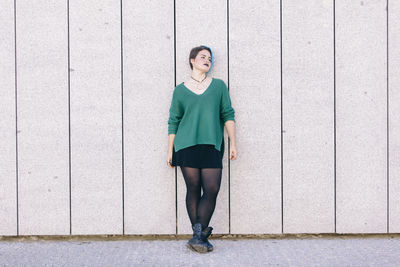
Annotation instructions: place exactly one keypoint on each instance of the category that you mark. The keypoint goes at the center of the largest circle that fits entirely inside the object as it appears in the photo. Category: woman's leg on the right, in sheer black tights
(211, 182)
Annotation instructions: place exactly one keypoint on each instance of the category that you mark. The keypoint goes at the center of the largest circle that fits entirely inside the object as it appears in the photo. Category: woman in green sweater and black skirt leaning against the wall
(199, 110)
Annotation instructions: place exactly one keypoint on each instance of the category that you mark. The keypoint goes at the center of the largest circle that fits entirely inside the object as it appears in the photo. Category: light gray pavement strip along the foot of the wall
(357, 251)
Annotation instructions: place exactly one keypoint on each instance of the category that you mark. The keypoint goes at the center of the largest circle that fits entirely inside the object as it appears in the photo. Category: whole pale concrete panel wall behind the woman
(85, 88)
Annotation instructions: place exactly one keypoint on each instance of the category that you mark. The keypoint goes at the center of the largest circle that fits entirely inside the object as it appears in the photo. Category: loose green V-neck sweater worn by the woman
(200, 119)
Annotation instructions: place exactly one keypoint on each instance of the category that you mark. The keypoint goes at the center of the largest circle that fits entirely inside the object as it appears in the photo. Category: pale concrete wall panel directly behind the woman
(198, 23)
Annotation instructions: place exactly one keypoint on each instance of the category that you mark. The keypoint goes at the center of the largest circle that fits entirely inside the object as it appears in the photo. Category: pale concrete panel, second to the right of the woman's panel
(308, 117)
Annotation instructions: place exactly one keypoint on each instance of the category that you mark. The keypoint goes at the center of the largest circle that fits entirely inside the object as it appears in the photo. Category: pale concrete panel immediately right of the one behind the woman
(255, 200)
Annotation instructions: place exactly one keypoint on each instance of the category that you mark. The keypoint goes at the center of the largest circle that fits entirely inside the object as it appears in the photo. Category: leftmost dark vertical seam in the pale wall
(16, 113)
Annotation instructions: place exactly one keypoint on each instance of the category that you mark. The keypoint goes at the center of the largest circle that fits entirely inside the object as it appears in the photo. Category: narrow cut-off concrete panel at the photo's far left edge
(8, 192)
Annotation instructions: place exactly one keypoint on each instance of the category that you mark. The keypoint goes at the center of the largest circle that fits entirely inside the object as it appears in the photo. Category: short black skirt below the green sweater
(198, 156)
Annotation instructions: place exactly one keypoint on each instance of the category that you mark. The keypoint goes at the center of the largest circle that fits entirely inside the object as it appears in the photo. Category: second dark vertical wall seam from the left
(69, 121)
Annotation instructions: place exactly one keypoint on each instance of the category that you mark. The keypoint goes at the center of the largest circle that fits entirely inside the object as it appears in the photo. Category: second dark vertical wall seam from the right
(334, 111)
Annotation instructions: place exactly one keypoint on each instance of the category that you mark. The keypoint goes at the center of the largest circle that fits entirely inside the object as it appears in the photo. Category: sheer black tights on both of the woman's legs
(201, 209)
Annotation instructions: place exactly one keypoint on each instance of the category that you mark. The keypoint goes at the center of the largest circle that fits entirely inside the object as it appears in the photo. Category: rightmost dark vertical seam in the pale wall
(387, 114)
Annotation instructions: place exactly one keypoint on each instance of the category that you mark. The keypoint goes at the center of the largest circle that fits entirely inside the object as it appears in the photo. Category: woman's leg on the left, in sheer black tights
(193, 191)
